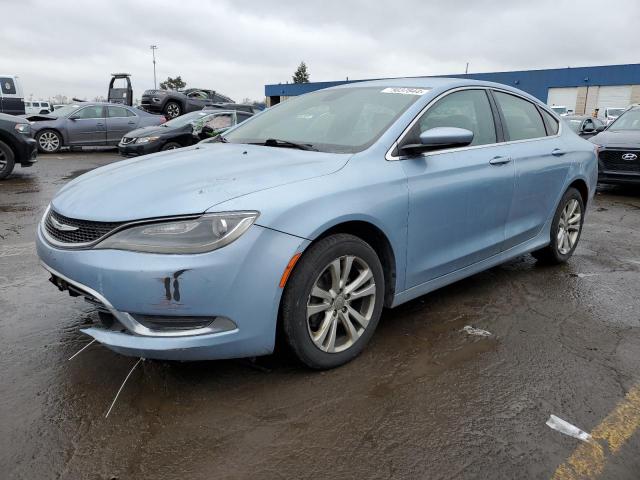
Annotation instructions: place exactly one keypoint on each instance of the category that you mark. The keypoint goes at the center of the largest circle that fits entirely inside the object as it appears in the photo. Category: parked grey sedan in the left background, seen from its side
(88, 124)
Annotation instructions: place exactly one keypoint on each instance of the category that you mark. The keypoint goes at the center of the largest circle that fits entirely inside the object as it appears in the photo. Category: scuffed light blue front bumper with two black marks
(221, 304)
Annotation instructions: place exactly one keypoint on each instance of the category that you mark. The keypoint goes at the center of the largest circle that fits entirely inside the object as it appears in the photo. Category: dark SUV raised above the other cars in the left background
(173, 103)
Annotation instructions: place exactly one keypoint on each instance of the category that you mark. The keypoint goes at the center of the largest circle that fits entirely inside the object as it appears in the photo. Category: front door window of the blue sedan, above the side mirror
(468, 109)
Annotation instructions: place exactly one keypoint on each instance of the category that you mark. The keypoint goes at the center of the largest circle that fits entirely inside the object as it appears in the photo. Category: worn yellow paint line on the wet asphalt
(589, 459)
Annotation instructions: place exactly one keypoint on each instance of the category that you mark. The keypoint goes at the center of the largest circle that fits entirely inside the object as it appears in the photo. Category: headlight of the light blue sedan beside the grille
(197, 235)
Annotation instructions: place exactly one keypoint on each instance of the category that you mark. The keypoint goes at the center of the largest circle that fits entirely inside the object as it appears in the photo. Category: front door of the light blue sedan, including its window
(459, 198)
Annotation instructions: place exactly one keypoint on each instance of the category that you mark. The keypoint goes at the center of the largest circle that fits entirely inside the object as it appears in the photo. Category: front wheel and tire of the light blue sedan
(333, 301)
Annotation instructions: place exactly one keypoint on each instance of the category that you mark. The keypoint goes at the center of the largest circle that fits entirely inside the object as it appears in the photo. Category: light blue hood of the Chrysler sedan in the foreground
(187, 181)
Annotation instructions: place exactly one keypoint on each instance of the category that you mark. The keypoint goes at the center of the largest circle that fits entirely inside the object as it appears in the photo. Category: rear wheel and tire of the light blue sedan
(565, 229)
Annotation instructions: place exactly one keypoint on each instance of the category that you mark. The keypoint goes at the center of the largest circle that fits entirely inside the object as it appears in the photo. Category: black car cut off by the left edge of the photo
(16, 144)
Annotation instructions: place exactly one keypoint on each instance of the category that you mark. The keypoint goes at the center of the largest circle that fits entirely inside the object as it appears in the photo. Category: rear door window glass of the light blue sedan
(521, 117)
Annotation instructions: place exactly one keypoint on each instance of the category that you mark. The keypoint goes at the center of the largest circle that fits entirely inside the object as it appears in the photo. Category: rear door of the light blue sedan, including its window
(541, 165)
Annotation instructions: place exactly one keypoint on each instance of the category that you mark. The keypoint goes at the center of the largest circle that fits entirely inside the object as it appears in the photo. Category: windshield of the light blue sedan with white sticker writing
(342, 120)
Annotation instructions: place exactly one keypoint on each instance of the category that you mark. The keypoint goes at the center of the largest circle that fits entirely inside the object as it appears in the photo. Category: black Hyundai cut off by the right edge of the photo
(619, 149)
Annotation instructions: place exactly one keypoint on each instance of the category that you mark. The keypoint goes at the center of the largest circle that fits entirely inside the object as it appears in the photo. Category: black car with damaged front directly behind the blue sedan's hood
(180, 132)
